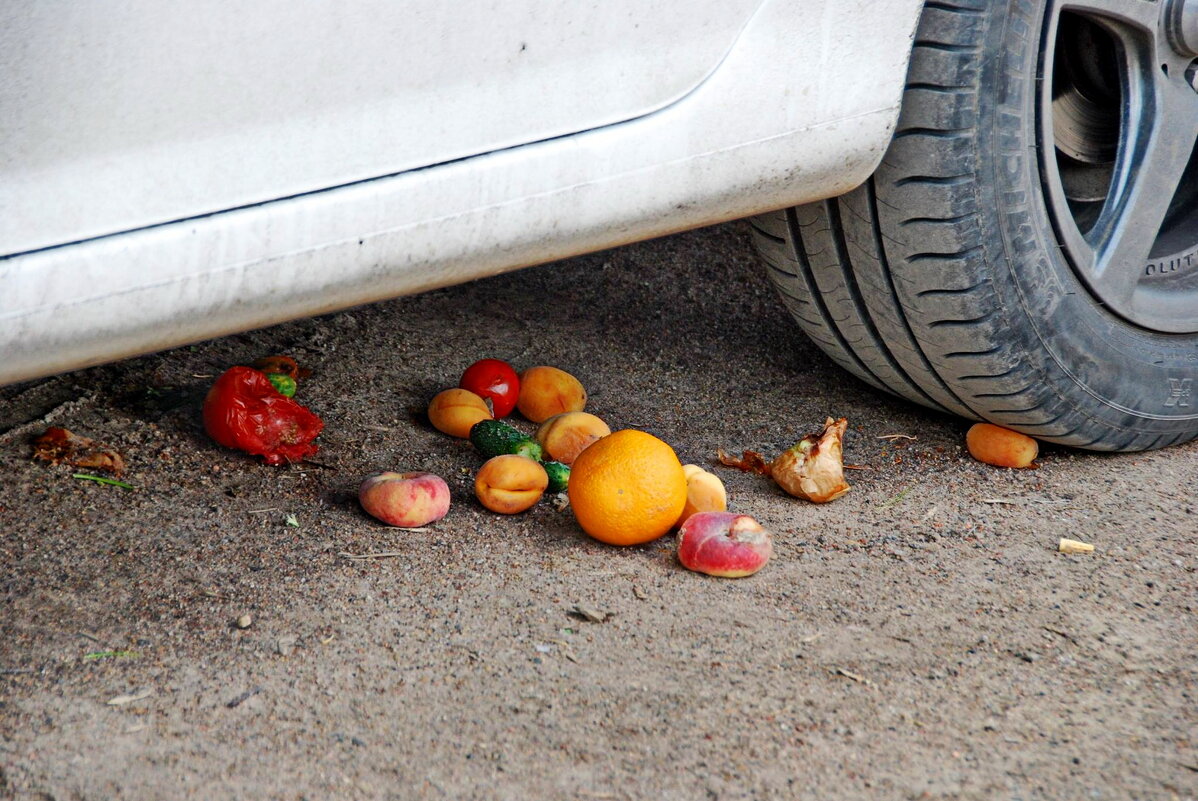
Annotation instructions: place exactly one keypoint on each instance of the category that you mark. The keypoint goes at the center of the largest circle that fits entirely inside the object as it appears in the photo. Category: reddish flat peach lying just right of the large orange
(724, 544)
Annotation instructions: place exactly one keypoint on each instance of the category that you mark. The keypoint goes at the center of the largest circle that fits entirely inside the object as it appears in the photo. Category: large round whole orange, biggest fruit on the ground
(627, 489)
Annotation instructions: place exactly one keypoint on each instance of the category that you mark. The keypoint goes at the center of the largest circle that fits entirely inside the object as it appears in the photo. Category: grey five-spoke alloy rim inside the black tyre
(1118, 125)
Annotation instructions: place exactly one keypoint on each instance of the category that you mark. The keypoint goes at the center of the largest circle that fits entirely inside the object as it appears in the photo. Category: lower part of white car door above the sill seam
(120, 116)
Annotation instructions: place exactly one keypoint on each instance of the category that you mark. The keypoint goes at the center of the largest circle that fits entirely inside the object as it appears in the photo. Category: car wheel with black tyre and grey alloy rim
(1027, 252)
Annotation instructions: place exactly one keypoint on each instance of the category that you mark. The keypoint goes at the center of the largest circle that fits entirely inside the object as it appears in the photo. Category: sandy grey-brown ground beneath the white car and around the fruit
(918, 639)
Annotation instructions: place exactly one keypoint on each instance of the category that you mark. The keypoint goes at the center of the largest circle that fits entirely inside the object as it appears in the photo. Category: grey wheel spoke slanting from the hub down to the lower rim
(1160, 129)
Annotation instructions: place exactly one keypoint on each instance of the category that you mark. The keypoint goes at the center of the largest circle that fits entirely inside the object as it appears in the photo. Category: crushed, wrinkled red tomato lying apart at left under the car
(245, 411)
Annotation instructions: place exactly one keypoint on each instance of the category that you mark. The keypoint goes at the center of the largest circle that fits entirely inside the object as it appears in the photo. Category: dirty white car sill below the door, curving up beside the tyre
(802, 108)
